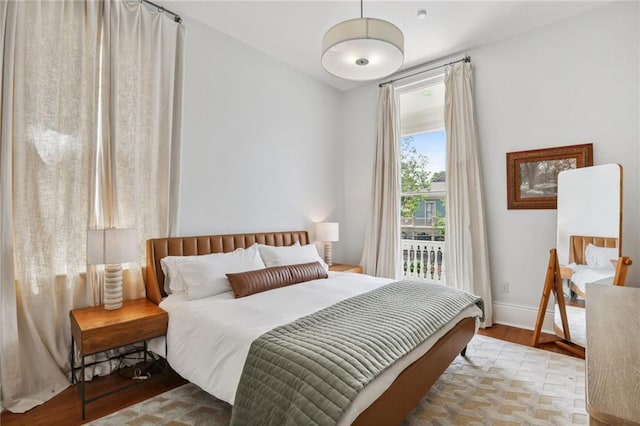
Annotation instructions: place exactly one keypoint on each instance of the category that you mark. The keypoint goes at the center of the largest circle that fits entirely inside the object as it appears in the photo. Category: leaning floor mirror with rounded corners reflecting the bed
(589, 240)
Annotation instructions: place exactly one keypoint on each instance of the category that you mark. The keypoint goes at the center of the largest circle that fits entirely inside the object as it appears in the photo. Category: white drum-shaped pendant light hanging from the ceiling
(362, 49)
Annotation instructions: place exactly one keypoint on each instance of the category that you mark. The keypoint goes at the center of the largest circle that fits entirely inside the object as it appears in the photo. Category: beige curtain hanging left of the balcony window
(381, 254)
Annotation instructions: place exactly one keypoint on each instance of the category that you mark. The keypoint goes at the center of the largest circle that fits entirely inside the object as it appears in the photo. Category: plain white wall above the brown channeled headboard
(261, 146)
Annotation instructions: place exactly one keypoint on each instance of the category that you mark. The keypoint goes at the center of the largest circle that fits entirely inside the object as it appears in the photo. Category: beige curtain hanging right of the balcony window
(466, 234)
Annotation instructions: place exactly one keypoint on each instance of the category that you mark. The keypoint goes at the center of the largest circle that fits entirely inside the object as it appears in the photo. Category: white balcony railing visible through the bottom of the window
(423, 260)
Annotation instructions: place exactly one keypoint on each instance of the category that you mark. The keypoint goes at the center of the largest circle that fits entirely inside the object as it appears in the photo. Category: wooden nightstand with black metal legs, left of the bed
(95, 330)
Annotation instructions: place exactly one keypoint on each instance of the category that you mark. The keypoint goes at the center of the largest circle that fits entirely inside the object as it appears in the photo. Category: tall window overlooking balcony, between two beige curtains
(423, 168)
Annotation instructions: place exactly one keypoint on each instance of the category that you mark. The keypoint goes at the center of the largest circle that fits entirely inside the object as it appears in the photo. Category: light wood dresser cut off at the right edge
(613, 355)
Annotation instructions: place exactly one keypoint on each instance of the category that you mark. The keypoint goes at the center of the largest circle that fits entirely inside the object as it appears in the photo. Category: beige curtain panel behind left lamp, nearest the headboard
(137, 167)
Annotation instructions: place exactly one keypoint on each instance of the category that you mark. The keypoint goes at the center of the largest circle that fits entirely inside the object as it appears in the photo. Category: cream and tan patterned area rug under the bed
(497, 383)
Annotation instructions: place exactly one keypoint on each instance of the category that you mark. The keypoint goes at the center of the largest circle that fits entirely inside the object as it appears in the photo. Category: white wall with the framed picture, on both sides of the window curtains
(572, 82)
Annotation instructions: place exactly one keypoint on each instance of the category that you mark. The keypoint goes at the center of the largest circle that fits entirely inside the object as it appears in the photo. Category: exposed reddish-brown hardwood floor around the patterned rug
(65, 408)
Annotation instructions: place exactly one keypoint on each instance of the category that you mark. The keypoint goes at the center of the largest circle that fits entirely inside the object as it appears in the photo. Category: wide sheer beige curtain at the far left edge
(49, 108)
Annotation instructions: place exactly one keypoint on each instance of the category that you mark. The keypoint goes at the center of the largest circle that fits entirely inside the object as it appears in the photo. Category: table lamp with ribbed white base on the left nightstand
(112, 247)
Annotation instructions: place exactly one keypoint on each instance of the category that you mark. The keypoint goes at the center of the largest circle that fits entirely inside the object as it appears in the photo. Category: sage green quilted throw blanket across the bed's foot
(309, 371)
